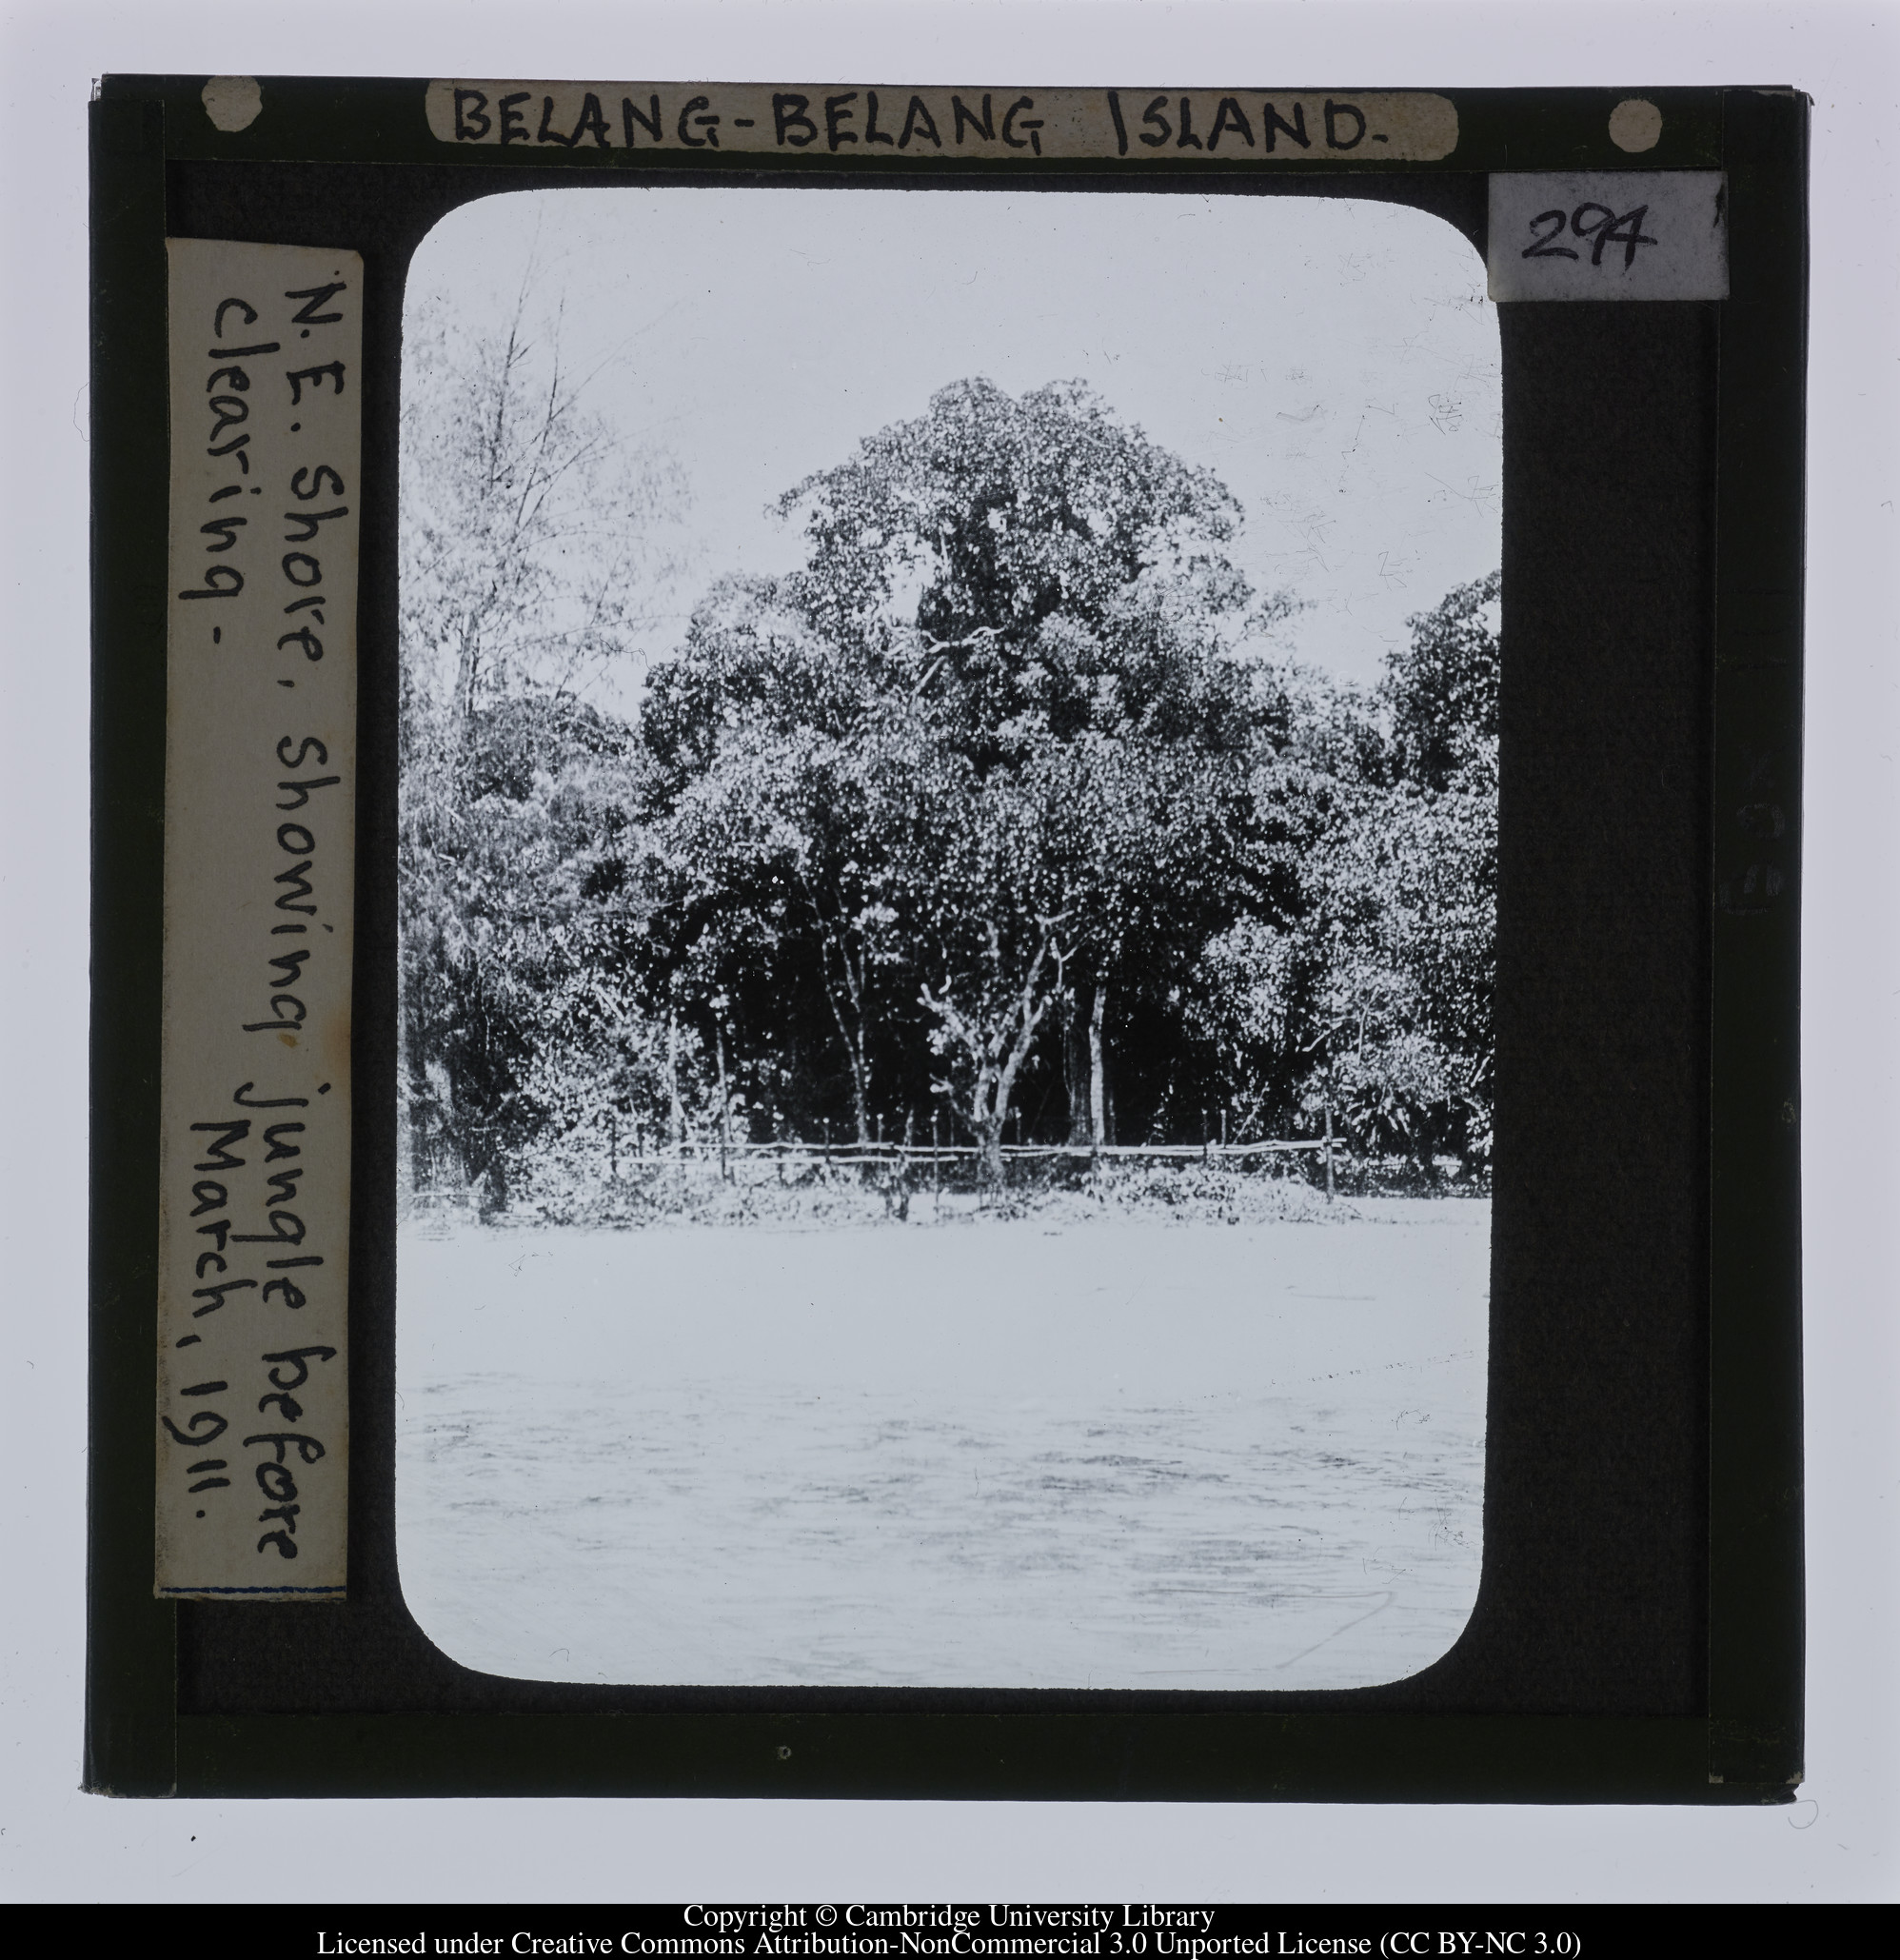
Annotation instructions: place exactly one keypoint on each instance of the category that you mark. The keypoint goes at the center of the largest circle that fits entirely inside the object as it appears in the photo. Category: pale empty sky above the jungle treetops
(1334, 364)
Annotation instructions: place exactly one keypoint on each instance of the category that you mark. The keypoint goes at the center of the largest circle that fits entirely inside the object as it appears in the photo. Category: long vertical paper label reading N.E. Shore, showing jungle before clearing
(260, 836)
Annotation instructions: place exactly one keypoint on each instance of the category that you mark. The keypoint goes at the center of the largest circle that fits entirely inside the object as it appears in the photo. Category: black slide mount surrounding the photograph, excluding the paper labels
(1646, 1338)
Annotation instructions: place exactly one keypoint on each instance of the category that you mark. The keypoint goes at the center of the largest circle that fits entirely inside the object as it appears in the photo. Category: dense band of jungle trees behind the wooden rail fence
(1001, 810)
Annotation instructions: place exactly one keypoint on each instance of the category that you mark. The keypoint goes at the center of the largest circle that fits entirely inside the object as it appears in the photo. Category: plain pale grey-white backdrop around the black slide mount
(1840, 1843)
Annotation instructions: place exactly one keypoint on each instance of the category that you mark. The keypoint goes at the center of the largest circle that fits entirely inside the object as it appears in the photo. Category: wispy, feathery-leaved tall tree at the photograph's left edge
(534, 540)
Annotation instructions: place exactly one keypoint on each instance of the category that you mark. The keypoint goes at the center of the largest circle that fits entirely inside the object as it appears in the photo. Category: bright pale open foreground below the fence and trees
(997, 1455)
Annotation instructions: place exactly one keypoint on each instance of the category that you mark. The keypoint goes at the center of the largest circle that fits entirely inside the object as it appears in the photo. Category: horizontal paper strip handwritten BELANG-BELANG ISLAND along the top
(823, 119)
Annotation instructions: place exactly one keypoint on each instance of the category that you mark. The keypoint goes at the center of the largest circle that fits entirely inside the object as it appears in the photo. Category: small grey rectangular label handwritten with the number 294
(1611, 236)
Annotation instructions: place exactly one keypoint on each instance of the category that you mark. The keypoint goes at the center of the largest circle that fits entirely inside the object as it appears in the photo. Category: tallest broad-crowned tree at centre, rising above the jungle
(1054, 591)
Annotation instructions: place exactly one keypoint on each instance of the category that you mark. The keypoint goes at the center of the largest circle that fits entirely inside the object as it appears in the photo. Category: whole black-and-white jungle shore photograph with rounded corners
(948, 840)
